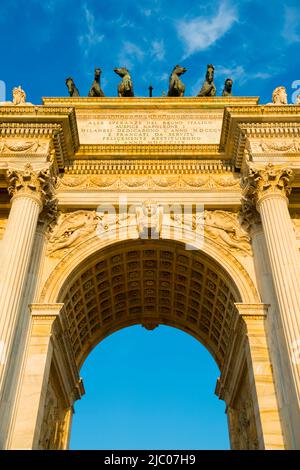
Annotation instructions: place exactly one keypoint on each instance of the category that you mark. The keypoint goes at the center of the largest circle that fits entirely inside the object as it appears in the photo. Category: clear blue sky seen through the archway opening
(150, 390)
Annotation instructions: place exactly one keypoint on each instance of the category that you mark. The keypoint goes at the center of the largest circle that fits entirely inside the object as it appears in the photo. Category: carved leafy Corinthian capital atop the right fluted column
(267, 181)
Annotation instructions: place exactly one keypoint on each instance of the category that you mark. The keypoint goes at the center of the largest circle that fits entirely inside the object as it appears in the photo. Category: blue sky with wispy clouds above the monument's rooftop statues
(254, 42)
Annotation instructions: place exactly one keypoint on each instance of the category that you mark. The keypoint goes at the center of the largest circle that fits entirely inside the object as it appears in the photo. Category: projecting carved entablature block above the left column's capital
(37, 134)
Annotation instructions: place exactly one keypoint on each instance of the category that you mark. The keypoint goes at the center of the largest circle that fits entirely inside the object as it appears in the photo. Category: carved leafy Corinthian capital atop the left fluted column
(37, 184)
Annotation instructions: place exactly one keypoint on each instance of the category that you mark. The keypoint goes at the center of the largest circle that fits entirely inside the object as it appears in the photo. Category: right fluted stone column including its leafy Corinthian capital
(269, 188)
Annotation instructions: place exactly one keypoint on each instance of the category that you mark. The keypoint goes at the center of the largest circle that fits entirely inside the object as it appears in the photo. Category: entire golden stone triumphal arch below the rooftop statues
(175, 211)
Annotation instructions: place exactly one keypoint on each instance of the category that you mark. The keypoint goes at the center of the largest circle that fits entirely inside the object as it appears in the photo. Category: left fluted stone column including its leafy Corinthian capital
(30, 191)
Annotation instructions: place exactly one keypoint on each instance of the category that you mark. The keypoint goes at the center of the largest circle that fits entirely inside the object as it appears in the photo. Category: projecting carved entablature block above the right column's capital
(262, 134)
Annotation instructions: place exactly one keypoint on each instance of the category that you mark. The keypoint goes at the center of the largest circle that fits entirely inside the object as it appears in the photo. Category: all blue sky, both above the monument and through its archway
(149, 389)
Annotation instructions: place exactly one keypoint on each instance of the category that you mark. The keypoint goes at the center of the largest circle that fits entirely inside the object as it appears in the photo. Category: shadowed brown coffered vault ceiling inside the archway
(149, 283)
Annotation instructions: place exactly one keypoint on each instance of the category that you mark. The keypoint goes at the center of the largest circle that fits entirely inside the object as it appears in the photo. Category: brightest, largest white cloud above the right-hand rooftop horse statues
(201, 32)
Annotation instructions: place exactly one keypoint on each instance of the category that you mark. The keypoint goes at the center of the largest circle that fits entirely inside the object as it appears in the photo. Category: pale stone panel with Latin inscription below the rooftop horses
(150, 128)
